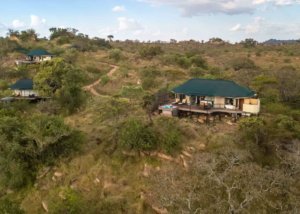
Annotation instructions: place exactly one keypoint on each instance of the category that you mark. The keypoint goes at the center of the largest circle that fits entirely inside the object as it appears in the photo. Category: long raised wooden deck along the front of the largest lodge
(197, 109)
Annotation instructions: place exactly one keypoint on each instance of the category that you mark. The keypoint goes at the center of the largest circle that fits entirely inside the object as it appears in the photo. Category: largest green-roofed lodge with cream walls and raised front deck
(213, 96)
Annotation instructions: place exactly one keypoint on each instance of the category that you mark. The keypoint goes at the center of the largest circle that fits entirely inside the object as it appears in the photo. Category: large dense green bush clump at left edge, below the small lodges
(28, 142)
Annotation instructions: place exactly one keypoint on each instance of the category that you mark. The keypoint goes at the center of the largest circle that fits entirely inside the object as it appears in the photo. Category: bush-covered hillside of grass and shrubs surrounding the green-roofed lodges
(251, 166)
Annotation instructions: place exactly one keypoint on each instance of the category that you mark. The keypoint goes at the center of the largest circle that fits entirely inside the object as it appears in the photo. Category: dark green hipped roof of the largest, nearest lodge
(208, 87)
